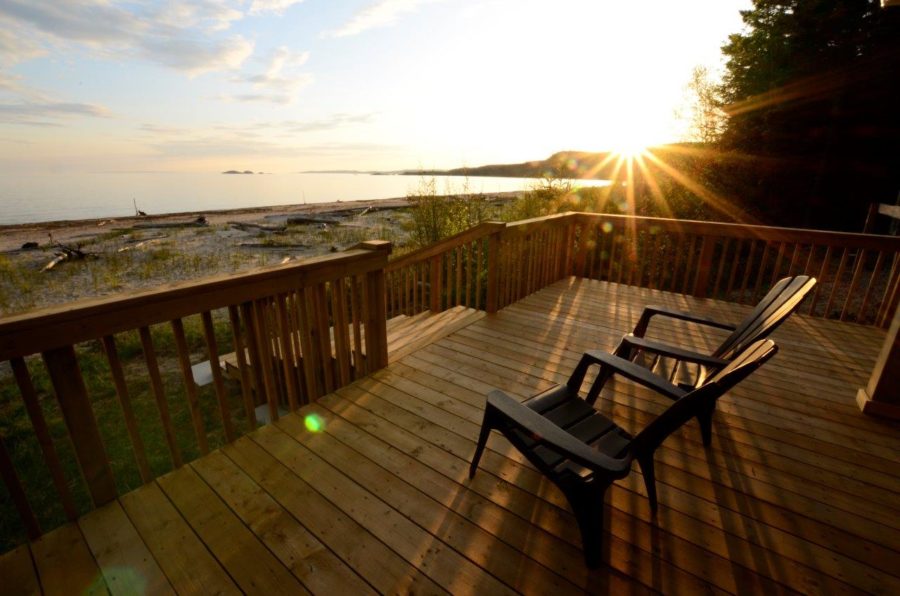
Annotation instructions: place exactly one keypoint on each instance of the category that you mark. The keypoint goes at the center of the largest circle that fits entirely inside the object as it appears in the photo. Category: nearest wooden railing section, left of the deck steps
(119, 372)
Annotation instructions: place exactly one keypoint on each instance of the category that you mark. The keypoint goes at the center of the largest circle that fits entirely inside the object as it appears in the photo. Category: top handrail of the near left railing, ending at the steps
(57, 326)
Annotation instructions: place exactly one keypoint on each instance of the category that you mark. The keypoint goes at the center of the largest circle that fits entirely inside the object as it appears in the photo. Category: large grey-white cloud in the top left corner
(179, 34)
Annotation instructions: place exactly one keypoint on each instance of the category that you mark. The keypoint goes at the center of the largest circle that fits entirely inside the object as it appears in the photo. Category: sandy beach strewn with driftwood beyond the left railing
(142, 252)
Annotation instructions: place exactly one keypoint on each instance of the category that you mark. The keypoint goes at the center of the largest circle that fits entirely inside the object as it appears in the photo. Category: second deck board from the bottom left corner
(65, 564)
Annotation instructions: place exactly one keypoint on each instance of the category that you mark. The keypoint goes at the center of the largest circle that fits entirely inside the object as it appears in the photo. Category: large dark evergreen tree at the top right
(813, 95)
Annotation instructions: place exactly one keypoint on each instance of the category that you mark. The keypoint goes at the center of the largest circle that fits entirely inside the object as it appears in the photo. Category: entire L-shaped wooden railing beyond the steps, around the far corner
(495, 264)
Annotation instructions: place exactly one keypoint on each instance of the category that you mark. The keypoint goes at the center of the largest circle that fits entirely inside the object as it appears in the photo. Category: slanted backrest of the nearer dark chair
(705, 396)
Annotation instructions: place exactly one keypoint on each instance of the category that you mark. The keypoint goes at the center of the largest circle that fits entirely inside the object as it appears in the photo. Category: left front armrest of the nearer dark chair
(547, 433)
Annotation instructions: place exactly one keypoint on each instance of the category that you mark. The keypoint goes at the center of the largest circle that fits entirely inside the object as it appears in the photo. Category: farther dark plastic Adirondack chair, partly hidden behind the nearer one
(774, 308)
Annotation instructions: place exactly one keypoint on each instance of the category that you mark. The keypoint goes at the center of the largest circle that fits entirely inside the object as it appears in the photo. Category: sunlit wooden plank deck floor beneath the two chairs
(797, 493)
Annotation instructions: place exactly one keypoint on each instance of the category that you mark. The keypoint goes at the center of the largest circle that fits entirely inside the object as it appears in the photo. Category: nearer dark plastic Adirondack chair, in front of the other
(582, 451)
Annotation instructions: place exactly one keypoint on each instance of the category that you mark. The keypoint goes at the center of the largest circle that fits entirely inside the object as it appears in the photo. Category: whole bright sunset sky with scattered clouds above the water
(294, 85)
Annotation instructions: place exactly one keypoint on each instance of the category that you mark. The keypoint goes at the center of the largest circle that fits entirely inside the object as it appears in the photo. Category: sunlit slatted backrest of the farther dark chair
(776, 306)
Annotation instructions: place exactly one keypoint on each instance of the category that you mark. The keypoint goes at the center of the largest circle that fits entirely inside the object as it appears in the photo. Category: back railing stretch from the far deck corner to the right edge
(858, 273)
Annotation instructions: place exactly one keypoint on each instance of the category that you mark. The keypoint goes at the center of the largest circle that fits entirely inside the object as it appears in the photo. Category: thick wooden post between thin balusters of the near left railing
(75, 405)
